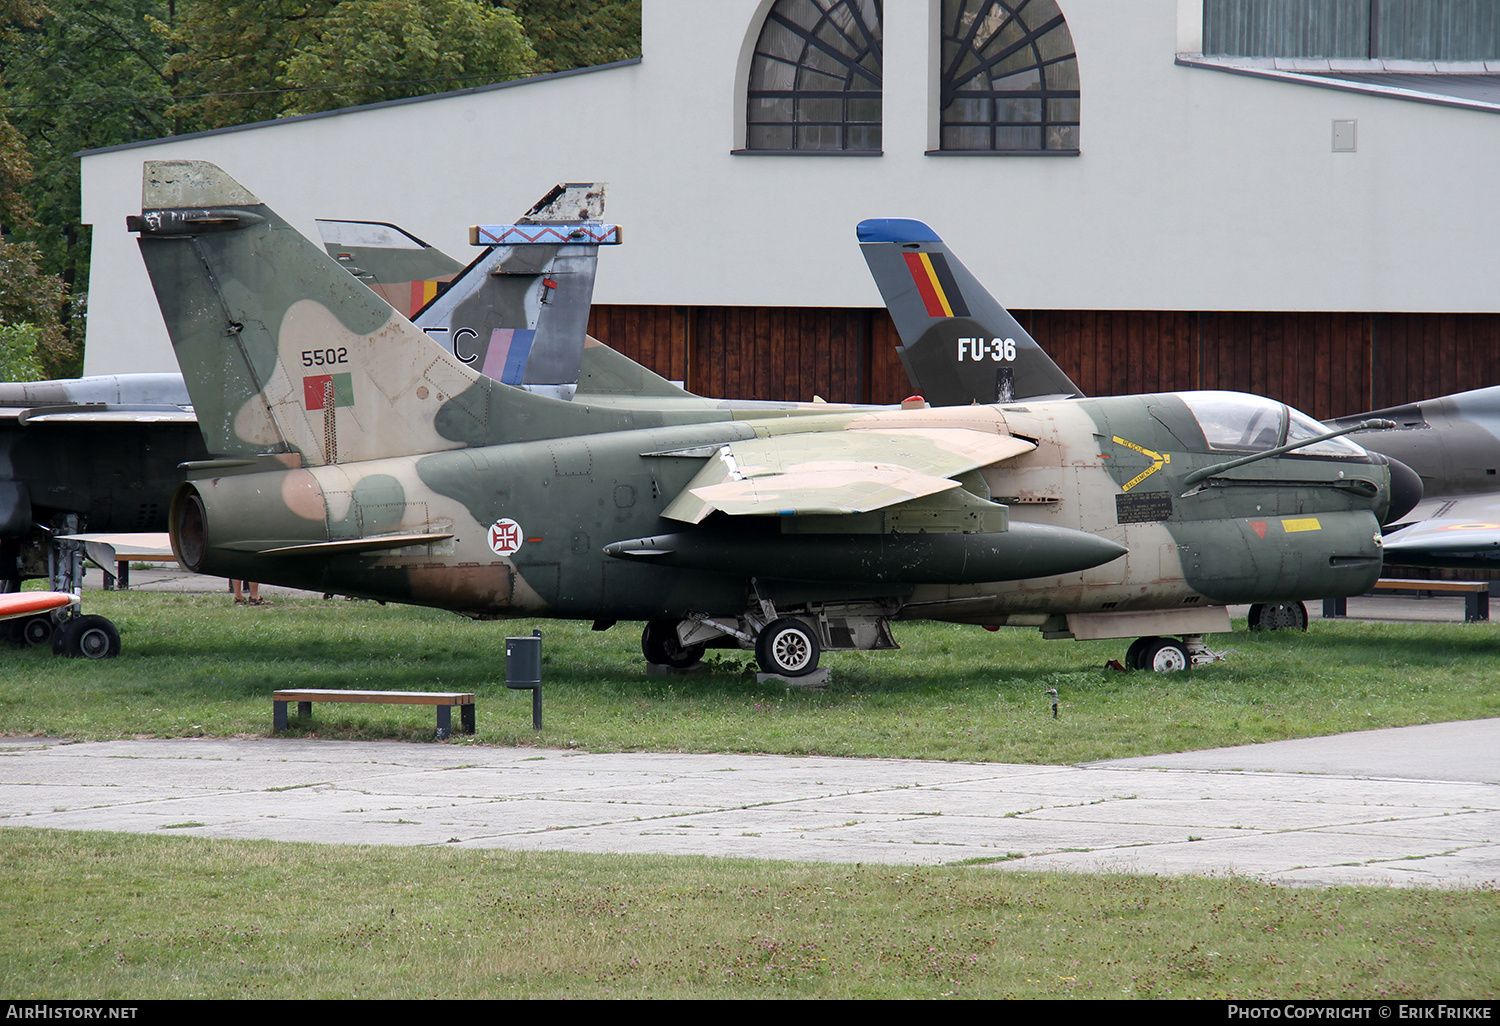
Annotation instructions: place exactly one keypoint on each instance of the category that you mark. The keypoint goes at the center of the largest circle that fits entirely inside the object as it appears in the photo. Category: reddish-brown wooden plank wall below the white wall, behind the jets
(1324, 364)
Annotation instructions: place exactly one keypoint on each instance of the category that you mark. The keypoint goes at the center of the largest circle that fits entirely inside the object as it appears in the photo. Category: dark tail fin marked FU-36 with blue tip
(959, 346)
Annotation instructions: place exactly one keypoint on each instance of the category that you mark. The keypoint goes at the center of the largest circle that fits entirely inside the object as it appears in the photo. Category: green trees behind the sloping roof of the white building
(89, 74)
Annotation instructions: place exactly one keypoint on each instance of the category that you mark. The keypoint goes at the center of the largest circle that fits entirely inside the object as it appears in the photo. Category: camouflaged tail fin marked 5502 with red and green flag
(284, 352)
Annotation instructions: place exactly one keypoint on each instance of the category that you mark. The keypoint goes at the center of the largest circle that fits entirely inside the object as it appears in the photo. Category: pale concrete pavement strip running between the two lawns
(1409, 806)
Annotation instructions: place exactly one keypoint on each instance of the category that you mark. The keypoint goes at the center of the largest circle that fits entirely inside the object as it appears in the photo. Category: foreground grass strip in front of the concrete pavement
(127, 917)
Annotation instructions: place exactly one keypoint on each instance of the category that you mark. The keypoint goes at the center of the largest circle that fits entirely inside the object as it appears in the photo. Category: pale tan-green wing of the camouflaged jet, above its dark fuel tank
(836, 473)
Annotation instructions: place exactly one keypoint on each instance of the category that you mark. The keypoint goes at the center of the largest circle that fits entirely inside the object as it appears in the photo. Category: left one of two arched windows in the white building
(815, 79)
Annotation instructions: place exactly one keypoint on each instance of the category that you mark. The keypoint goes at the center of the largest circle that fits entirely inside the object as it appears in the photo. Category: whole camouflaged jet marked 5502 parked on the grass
(364, 460)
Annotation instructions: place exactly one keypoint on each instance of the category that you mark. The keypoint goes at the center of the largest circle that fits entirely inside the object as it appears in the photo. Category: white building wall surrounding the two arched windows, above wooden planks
(1196, 190)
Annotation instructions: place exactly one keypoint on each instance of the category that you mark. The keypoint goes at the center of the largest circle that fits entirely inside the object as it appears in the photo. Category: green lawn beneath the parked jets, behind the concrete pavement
(196, 665)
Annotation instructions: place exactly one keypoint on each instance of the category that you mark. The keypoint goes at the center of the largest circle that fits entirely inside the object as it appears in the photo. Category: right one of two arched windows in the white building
(1010, 79)
